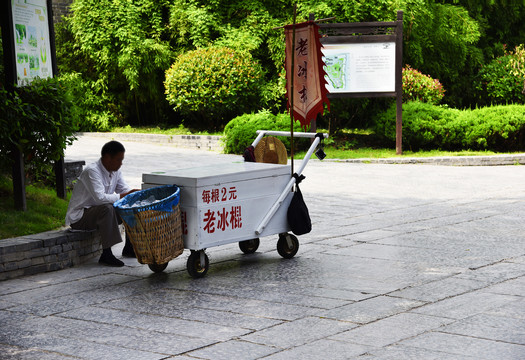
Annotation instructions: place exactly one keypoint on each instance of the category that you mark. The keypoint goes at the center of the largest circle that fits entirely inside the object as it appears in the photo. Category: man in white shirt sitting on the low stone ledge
(91, 207)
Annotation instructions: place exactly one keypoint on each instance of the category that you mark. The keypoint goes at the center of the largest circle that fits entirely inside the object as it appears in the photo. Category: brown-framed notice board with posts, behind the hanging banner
(365, 60)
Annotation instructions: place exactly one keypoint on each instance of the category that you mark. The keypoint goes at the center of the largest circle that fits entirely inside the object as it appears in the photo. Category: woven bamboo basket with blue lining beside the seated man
(155, 230)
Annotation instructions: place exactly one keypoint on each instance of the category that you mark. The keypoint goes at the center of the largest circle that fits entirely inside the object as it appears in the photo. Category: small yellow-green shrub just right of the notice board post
(417, 86)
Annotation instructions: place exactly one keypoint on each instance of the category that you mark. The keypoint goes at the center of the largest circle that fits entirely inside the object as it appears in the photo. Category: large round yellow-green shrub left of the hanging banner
(213, 85)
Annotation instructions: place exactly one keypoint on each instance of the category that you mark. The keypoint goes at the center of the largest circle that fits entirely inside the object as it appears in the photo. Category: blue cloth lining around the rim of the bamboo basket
(168, 194)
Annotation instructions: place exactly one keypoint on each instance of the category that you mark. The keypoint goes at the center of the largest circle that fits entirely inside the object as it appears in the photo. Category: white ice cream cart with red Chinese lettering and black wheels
(234, 202)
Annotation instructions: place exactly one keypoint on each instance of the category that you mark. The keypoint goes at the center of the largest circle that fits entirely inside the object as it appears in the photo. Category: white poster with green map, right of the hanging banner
(360, 67)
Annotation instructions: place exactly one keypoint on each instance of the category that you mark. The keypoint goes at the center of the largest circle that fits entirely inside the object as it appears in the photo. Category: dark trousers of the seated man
(105, 219)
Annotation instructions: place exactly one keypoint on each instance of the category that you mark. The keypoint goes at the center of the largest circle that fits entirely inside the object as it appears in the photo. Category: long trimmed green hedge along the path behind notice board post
(426, 126)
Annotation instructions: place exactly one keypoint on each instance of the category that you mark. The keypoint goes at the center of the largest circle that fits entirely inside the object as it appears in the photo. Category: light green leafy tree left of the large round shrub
(122, 43)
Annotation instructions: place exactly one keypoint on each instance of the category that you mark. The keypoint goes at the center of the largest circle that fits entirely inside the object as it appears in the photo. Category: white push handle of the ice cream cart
(290, 184)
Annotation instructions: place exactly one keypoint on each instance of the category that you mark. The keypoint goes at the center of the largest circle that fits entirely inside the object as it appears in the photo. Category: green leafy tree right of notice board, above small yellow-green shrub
(440, 40)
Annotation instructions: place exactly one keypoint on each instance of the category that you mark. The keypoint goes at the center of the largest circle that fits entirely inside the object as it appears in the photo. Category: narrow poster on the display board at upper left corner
(31, 40)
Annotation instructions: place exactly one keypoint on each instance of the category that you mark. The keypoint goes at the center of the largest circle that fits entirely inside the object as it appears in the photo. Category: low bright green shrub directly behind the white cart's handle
(240, 132)
